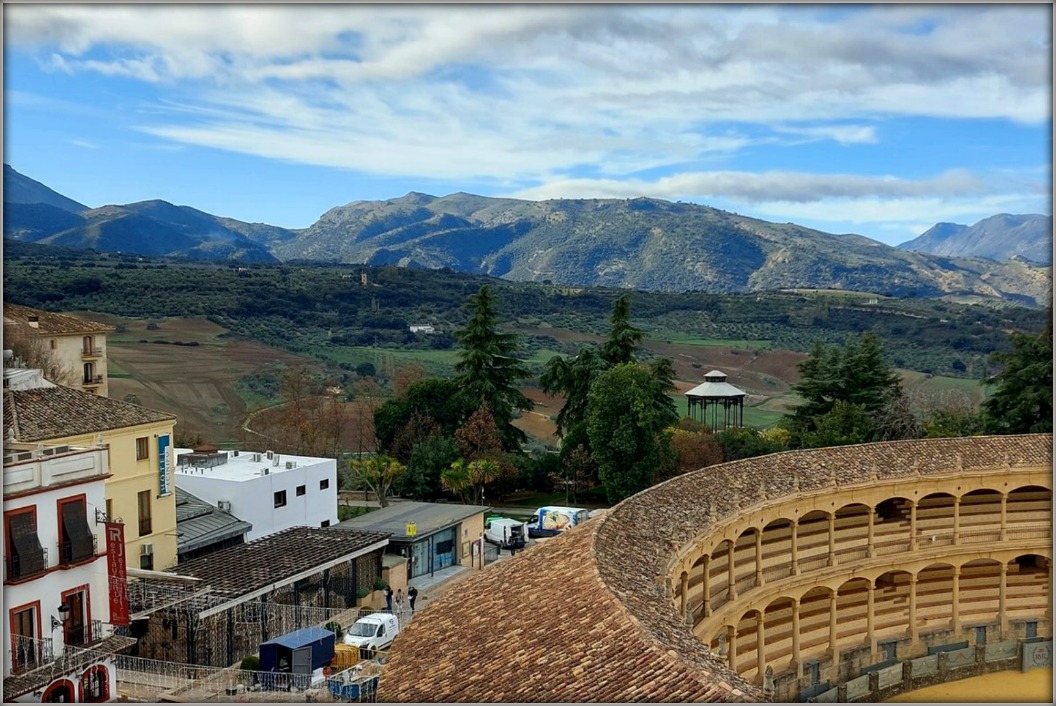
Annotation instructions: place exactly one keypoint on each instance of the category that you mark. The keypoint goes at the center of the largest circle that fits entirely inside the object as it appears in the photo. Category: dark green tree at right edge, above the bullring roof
(1024, 400)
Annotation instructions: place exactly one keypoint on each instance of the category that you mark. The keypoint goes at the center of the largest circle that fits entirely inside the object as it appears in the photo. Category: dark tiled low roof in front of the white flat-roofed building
(272, 560)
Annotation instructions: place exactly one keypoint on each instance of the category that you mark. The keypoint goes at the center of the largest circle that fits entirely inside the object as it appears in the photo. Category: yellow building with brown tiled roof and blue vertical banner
(141, 491)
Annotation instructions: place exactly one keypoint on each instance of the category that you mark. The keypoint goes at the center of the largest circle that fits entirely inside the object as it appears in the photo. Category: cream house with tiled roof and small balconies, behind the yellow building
(77, 347)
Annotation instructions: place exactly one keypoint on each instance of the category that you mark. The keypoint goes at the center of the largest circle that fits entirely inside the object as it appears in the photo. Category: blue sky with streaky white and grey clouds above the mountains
(874, 120)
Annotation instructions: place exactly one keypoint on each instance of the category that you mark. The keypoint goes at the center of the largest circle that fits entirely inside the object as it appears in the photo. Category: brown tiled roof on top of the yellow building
(53, 413)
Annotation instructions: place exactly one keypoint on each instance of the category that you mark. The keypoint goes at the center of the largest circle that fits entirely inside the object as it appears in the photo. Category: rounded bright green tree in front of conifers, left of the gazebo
(626, 428)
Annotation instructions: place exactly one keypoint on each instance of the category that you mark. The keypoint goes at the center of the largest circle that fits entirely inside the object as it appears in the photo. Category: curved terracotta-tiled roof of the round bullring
(583, 617)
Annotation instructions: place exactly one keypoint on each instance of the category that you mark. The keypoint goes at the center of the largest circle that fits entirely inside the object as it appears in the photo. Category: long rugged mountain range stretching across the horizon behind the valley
(639, 243)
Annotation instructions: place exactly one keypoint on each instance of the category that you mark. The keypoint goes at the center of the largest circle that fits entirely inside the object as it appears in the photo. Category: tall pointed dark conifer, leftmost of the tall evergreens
(487, 372)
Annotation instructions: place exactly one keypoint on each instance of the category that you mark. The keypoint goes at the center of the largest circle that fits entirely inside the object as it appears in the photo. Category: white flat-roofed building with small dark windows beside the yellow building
(273, 492)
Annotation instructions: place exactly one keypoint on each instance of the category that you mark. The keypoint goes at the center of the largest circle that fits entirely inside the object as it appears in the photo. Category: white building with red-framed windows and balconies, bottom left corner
(56, 581)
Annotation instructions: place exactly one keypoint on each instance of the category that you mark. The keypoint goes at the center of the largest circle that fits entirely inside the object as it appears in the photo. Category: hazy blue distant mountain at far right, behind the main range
(1001, 238)
